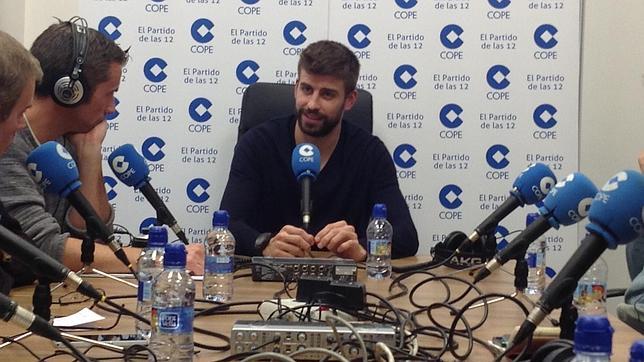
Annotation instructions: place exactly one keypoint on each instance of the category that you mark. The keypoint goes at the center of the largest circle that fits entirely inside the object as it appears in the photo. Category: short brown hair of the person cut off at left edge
(17, 67)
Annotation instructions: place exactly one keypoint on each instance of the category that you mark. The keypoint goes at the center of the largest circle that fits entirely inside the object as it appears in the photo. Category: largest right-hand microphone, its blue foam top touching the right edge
(616, 217)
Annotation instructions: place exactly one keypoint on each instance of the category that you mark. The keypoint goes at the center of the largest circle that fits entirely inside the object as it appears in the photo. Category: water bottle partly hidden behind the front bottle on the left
(150, 265)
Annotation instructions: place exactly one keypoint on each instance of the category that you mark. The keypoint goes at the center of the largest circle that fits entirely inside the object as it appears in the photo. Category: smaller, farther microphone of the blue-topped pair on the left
(130, 167)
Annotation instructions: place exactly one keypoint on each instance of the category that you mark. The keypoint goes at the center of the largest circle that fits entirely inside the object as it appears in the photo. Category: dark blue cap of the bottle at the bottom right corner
(593, 334)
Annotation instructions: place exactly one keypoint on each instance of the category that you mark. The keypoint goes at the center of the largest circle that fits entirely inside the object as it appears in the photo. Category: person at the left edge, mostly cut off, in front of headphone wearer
(19, 74)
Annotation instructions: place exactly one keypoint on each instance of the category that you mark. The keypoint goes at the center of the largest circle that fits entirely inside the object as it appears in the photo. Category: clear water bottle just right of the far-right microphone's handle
(590, 295)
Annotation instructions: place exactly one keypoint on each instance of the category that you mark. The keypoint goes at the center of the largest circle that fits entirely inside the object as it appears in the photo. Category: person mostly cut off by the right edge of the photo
(632, 310)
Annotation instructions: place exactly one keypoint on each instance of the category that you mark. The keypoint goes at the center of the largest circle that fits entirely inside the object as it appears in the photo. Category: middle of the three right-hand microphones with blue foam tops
(566, 204)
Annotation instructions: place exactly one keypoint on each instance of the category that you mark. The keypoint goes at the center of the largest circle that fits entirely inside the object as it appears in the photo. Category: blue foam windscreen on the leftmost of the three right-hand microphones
(534, 183)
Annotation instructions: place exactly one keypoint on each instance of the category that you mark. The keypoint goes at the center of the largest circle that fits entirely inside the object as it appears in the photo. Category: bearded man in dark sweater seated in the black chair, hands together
(262, 194)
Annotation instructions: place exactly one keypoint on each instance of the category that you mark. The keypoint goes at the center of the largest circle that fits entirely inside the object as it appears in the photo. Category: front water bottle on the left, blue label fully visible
(173, 296)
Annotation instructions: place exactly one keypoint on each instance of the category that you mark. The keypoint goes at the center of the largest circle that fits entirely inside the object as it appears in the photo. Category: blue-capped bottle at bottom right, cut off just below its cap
(593, 339)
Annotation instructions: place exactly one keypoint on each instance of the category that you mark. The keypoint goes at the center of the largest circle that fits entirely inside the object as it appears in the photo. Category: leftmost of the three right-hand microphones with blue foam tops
(530, 187)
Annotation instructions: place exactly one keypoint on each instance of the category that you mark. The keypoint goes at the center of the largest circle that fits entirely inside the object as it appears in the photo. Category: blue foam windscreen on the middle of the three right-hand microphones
(568, 202)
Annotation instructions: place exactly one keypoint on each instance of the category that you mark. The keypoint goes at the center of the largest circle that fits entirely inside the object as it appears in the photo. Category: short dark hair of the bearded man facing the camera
(327, 57)
